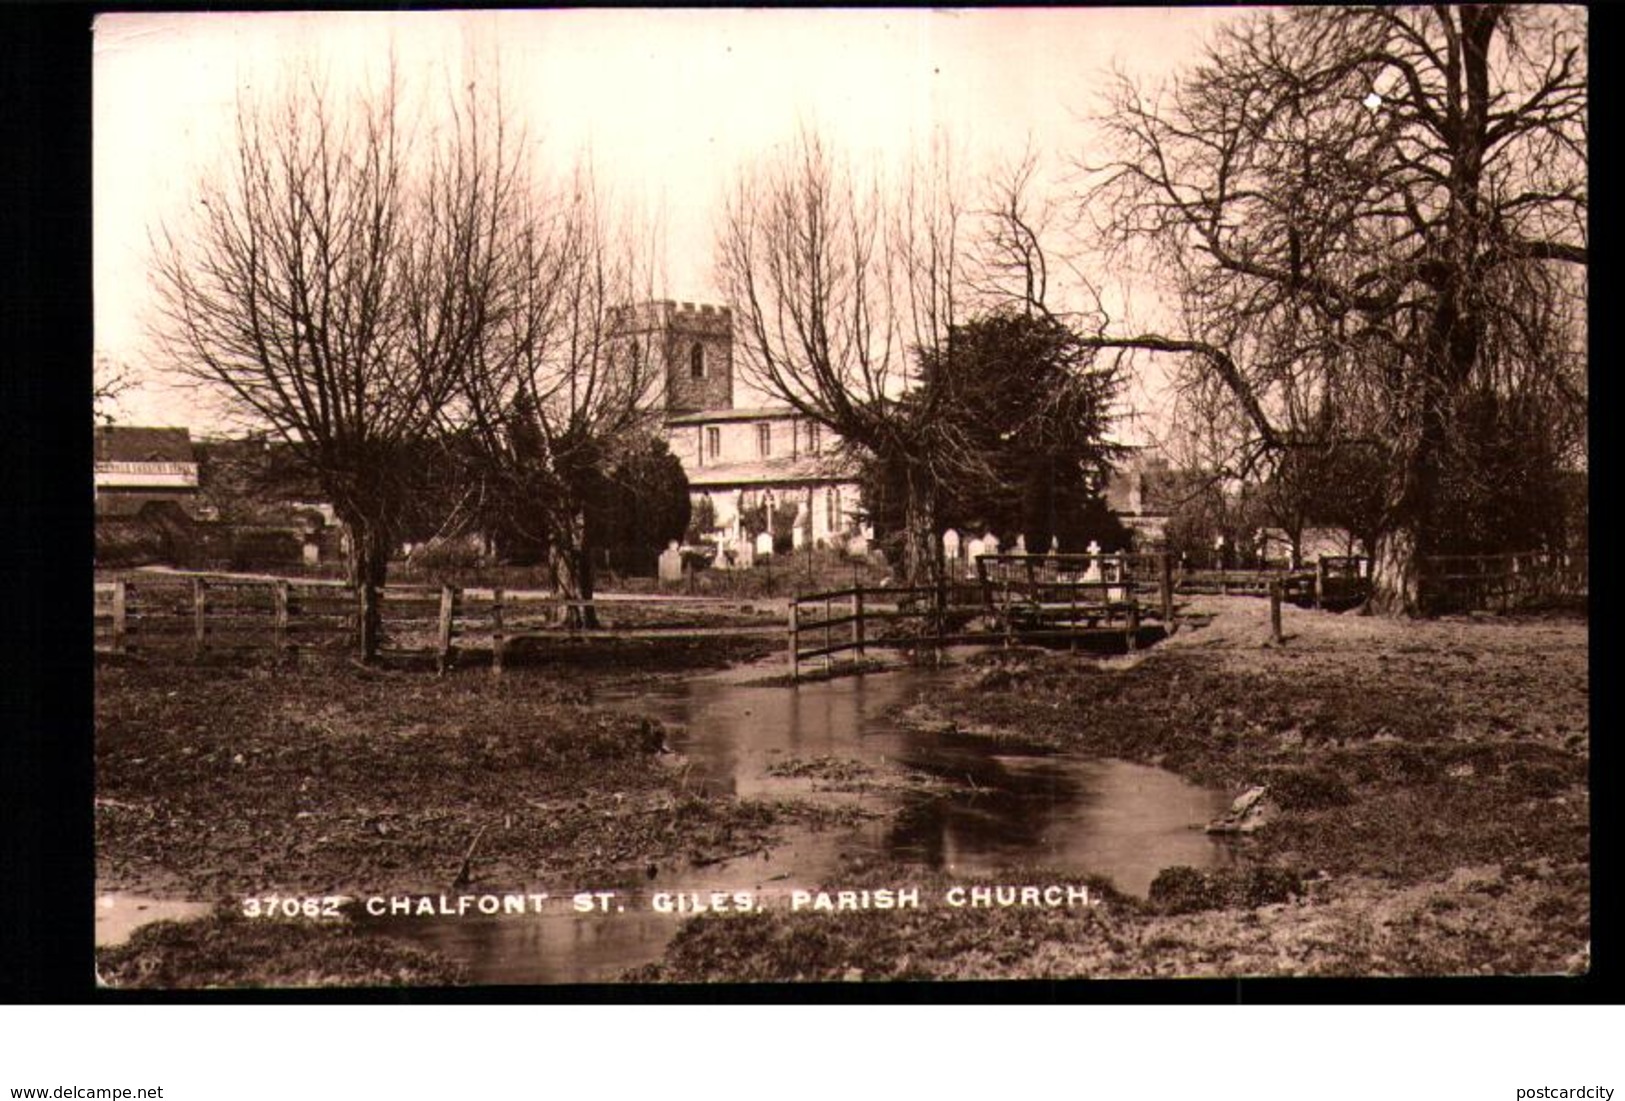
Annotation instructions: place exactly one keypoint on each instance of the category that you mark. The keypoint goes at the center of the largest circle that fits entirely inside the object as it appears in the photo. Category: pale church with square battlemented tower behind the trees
(742, 457)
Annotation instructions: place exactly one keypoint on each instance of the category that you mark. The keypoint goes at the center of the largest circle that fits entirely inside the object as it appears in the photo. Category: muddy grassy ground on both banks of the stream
(1428, 806)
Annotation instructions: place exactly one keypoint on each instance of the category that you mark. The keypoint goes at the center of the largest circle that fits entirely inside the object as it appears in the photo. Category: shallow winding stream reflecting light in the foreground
(999, 811)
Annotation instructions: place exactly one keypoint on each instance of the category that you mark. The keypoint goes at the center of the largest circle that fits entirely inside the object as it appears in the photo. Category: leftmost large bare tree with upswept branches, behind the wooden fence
(339, 274)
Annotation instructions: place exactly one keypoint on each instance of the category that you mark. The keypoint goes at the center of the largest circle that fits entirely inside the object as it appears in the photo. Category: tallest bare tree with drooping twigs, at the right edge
(1379, 212)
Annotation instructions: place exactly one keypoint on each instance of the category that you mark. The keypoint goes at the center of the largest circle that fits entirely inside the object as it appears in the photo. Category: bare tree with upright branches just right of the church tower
(839, 283)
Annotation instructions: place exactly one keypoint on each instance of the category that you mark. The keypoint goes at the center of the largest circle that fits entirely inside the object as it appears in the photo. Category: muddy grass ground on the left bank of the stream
(245, 777)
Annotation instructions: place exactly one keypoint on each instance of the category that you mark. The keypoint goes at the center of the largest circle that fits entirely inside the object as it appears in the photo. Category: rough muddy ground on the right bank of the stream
(1428, 811)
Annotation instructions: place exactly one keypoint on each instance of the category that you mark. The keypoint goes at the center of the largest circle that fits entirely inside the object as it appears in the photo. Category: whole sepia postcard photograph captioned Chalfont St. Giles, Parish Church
(841, 496)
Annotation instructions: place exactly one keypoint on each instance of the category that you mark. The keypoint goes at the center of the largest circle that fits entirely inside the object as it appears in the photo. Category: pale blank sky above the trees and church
(667, 103)
